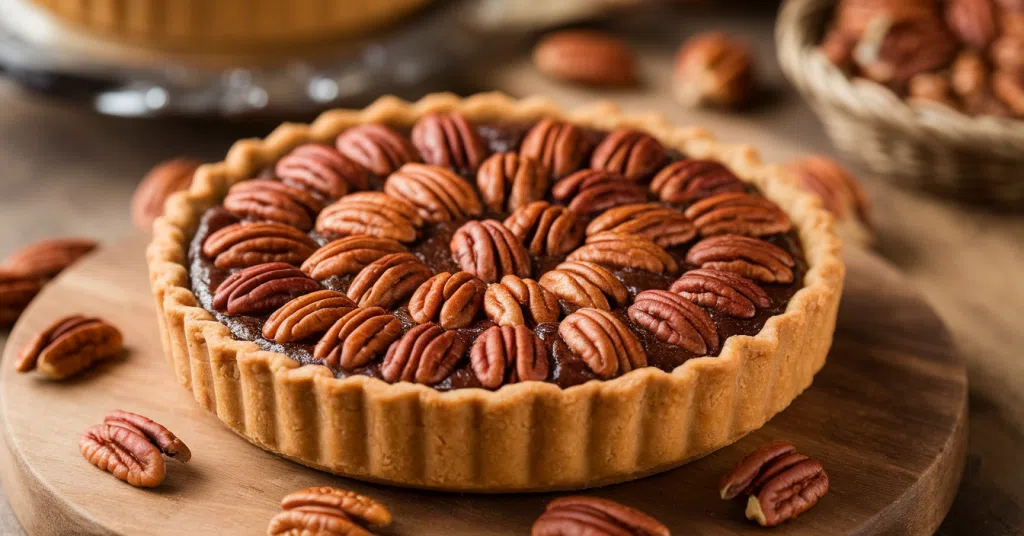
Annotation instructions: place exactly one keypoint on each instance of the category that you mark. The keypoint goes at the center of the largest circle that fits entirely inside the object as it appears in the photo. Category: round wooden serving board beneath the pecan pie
(886, 418)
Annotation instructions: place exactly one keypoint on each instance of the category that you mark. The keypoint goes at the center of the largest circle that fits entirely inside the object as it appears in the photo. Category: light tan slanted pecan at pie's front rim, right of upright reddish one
(603, 342)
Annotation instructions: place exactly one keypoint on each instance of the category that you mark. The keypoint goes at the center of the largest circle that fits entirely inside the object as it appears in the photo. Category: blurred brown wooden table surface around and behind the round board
(65, 171)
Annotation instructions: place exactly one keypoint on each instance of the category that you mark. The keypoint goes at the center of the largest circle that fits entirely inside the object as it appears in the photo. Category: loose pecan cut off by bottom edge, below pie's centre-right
(592, 516)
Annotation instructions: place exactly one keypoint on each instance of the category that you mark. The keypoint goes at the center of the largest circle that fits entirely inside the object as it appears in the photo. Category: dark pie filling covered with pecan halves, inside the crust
(480, 255)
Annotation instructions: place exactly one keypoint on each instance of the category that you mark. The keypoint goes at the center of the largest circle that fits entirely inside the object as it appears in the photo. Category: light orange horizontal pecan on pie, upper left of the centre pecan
(371, 214)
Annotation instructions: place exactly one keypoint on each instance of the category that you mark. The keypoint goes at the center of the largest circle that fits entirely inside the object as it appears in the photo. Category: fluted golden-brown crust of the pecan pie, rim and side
(525, 437)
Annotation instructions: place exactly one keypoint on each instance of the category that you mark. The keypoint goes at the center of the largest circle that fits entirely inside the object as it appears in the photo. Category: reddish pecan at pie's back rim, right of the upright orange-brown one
(630, 153)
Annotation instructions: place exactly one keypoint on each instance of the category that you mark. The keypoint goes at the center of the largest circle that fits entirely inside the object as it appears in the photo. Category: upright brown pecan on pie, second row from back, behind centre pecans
(508, 182)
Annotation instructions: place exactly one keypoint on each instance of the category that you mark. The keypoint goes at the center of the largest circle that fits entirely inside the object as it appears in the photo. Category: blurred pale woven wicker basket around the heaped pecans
(921, 145)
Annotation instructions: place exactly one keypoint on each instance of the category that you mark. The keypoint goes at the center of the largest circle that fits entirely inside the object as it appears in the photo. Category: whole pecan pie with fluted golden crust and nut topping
(661, 364)
